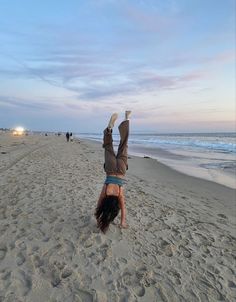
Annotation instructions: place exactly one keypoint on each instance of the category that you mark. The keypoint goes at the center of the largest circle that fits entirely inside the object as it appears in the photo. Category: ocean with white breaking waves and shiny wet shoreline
(211, 156)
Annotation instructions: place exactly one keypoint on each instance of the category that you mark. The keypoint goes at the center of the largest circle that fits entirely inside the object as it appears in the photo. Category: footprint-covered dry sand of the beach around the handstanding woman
(180, 245)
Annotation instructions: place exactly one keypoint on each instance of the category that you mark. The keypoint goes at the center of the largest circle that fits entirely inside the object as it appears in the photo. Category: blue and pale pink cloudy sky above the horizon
(67, 65)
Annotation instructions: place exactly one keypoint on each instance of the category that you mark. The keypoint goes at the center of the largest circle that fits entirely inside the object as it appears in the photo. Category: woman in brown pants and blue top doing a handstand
(112, 199)
